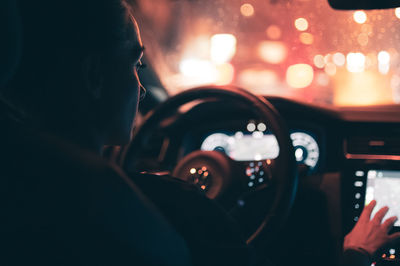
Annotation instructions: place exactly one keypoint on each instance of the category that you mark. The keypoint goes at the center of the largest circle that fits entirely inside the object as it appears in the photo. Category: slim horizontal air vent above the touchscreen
(373, 145)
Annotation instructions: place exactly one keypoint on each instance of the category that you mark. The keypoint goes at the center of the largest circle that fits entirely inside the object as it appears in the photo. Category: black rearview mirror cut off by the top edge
(363, 4)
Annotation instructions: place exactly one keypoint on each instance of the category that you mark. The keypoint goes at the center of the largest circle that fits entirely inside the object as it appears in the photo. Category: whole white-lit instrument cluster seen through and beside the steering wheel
(257, 143)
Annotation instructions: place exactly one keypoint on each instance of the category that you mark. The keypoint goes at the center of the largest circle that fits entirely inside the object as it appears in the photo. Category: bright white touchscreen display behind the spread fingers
(384, 187)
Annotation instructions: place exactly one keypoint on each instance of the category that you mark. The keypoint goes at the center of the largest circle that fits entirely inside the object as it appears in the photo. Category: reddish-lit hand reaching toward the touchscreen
(369, 234)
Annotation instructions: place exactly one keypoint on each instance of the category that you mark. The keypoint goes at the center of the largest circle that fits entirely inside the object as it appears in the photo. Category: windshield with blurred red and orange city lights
(299, 49)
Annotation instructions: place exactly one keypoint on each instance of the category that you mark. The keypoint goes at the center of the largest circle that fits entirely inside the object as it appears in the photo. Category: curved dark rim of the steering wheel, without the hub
(285, 163)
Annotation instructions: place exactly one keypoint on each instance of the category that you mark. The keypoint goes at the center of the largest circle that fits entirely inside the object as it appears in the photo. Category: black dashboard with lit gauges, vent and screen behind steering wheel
(353, 154)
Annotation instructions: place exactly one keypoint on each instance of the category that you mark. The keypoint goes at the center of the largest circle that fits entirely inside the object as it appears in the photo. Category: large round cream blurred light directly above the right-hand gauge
(299, 76)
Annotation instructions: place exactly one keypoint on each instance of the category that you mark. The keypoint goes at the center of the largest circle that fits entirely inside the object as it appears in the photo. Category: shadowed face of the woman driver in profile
(122, 85)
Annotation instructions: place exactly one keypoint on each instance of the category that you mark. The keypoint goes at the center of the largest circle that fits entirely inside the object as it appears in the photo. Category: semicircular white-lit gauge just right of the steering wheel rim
(306, 149)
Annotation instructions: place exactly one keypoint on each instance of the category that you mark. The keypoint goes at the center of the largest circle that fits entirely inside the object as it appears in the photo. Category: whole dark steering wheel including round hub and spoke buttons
(222, 178)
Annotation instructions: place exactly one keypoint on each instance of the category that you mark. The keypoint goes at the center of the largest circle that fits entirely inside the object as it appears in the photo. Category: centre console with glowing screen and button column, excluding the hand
(365, 180)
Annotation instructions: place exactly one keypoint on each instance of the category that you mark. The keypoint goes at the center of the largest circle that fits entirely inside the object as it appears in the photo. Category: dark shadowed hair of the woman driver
(57, 36)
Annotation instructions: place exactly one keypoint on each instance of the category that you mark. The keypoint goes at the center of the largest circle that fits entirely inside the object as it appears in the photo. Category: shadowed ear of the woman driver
(93, 75)
